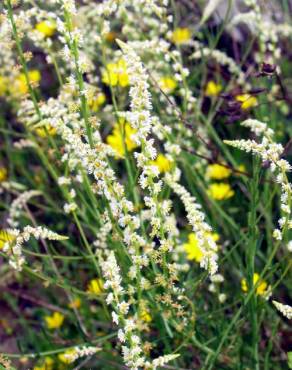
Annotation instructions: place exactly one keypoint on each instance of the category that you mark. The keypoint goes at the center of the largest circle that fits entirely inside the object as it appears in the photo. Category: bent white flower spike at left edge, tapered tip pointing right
(13, 248)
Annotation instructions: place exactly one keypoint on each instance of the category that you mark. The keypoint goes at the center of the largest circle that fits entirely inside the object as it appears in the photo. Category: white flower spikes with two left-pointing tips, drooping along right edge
(270, 152)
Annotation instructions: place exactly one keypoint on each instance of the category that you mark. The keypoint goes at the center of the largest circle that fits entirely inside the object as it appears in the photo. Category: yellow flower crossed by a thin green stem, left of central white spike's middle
(118, 142)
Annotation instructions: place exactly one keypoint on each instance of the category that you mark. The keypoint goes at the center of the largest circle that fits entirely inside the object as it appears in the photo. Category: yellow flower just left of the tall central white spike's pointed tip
(116, 74)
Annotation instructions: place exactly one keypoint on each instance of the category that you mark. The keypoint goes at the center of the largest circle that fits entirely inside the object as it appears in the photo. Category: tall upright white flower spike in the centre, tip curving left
(141, 120)
